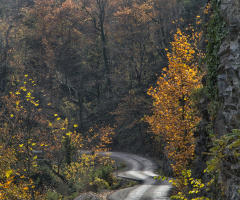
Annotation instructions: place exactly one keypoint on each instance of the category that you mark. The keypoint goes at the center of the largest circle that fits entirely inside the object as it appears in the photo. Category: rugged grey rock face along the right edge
(229, 87)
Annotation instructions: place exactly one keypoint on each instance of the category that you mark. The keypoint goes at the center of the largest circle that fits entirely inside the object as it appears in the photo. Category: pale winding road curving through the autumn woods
(141, 169)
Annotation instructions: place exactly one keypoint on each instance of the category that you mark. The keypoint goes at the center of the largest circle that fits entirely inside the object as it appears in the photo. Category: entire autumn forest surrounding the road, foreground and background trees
(136, 76)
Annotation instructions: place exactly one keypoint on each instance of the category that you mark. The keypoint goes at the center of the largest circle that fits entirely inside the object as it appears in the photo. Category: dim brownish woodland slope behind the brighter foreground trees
(95, 60)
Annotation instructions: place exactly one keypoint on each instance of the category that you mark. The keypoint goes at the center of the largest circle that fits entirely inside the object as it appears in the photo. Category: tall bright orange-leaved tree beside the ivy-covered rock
(173, 117)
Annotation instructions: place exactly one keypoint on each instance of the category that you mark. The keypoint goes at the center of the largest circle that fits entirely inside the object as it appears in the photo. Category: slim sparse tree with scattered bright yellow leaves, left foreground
(25, 129)
